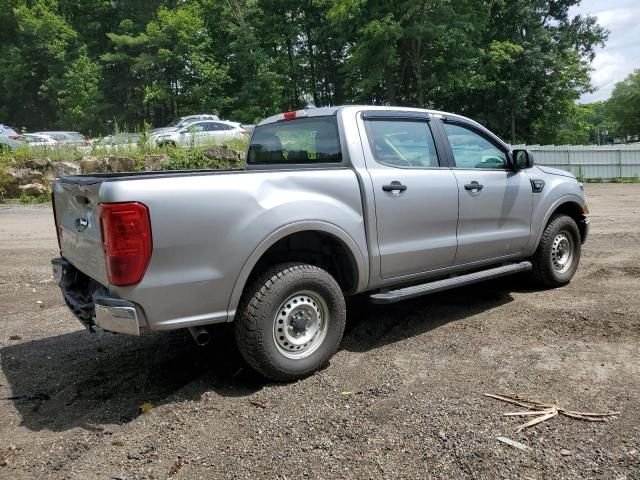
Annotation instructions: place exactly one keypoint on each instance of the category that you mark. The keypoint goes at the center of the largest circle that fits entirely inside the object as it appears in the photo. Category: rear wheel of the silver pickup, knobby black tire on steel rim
(262, 314)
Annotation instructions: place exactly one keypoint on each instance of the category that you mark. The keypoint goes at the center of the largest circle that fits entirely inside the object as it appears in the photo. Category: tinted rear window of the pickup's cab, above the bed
(303, 141)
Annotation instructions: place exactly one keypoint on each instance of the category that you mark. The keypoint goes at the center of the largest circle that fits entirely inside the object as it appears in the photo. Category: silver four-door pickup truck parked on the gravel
(396, 202)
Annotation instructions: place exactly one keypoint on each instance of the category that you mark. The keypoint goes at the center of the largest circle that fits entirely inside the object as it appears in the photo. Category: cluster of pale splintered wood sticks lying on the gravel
(546, 411)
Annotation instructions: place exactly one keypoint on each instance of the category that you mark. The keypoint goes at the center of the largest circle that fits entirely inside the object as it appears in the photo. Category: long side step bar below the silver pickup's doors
(392, 296)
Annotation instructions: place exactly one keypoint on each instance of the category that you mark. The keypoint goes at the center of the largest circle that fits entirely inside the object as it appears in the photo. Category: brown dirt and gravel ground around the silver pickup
(417, 371)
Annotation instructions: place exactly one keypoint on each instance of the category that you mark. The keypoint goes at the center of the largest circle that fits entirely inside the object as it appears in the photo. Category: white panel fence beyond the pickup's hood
(590, 161)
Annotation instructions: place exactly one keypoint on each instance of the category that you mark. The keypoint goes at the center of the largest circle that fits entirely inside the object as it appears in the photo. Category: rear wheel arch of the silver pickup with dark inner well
(312, 234)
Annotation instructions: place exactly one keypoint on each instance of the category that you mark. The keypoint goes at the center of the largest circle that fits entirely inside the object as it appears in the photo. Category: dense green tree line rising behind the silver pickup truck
(515, 65)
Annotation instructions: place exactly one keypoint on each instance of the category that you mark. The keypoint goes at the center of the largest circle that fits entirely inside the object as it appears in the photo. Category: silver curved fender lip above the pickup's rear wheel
(315, 225)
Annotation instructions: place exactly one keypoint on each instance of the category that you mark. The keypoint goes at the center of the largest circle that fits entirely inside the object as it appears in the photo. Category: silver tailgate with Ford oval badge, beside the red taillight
(78, 223)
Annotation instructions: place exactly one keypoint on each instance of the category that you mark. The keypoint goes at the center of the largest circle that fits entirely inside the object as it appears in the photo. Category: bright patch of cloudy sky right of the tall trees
(621, 54)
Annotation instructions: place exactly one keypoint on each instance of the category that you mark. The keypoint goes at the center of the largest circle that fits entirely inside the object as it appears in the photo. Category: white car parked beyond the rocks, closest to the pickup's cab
(199, 133)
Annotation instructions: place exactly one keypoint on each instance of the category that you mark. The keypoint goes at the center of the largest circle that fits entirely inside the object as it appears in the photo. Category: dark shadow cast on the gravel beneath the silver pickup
(84, 380)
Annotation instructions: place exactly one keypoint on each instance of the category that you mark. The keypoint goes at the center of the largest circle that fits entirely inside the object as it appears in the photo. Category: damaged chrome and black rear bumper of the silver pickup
(91, 303)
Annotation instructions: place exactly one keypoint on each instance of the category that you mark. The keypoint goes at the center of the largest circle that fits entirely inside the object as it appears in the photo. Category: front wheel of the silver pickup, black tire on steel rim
(552, 266)
